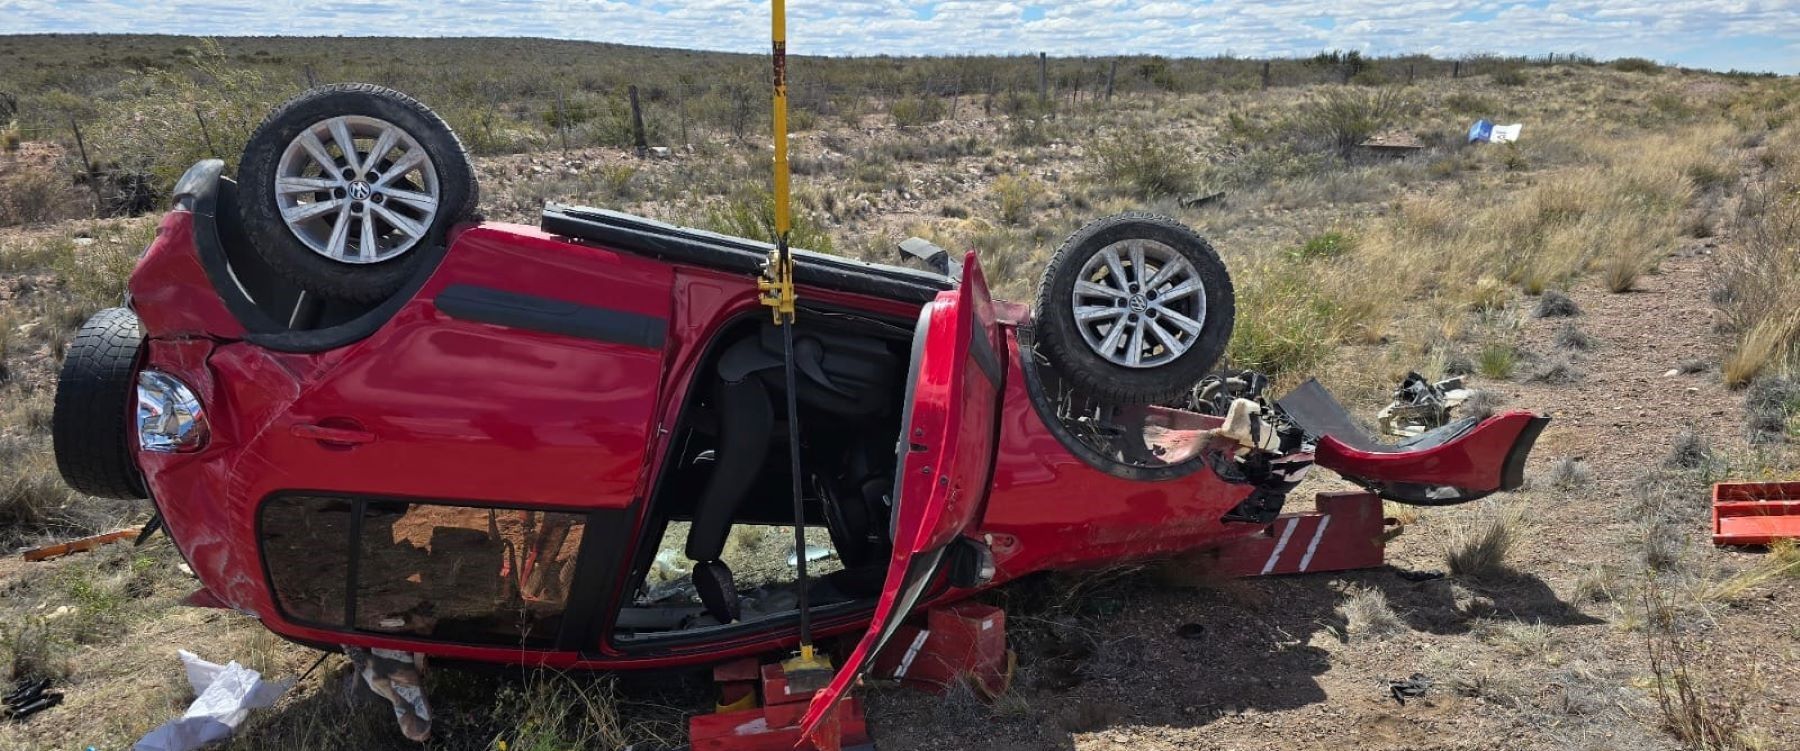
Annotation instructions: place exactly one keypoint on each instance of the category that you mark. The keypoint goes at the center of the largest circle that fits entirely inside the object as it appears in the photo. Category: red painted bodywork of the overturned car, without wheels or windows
(451, 401)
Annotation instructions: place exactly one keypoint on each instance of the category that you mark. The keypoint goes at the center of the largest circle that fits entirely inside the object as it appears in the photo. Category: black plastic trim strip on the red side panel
(552, 316)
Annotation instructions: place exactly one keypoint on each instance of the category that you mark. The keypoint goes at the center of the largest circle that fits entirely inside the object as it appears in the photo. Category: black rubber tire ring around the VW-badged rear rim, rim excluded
(291, 258)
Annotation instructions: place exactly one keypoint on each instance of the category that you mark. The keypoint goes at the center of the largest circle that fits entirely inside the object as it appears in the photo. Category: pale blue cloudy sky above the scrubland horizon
(1749, 35)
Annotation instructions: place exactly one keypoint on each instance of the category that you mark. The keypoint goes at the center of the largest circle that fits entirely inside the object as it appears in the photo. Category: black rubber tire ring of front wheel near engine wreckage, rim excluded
(1092, 374)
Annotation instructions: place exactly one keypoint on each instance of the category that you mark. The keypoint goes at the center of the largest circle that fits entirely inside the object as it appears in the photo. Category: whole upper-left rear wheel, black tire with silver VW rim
(391, 206)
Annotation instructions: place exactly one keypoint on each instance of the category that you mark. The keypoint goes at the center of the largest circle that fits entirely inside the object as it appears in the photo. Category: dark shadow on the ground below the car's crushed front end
(1142, 656)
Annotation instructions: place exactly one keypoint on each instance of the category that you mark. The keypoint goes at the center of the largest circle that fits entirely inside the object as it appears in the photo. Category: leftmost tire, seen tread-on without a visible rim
(91, 424)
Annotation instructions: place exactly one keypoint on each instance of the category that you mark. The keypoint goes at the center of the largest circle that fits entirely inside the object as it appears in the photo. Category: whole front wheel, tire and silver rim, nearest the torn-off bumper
(1178, 329)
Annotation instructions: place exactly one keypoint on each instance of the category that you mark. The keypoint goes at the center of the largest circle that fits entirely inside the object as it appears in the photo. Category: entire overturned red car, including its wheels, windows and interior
(370, 421)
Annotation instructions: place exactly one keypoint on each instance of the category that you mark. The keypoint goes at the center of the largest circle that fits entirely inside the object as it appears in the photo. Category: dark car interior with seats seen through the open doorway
(721, 548)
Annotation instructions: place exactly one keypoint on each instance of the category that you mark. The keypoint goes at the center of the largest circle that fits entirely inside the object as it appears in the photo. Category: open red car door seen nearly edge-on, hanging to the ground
(946, 457)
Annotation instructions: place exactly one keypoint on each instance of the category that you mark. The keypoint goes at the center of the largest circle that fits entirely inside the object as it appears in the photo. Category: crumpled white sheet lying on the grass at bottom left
(226, 694)
